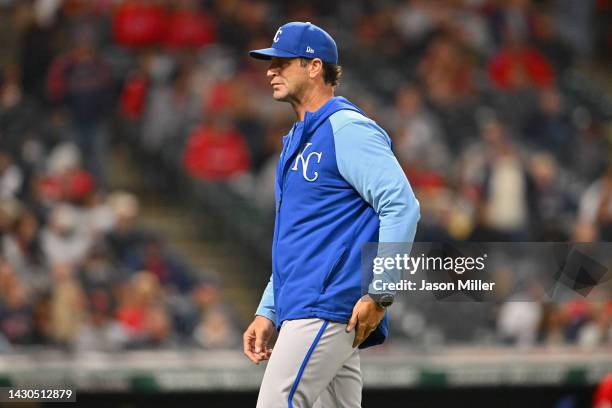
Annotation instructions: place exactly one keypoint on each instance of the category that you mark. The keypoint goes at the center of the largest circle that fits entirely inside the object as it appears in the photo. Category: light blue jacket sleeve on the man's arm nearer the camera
(366, 161)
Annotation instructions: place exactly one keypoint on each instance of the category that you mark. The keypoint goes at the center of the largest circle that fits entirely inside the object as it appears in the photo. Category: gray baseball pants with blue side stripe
(313, 365)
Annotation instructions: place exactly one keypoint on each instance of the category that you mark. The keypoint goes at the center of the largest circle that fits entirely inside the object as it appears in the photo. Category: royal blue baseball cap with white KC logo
(300, 40)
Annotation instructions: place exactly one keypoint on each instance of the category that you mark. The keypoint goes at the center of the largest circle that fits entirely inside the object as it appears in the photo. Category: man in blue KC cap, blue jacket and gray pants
(338, 187)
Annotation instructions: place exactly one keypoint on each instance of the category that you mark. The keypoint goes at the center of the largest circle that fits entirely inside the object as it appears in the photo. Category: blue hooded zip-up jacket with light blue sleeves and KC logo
(338, 187)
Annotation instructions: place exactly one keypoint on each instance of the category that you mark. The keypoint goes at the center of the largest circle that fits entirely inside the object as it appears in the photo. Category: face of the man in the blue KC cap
(288, 78)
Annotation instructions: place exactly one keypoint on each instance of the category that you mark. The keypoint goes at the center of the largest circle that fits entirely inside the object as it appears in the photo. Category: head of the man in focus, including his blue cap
(303, 56)
